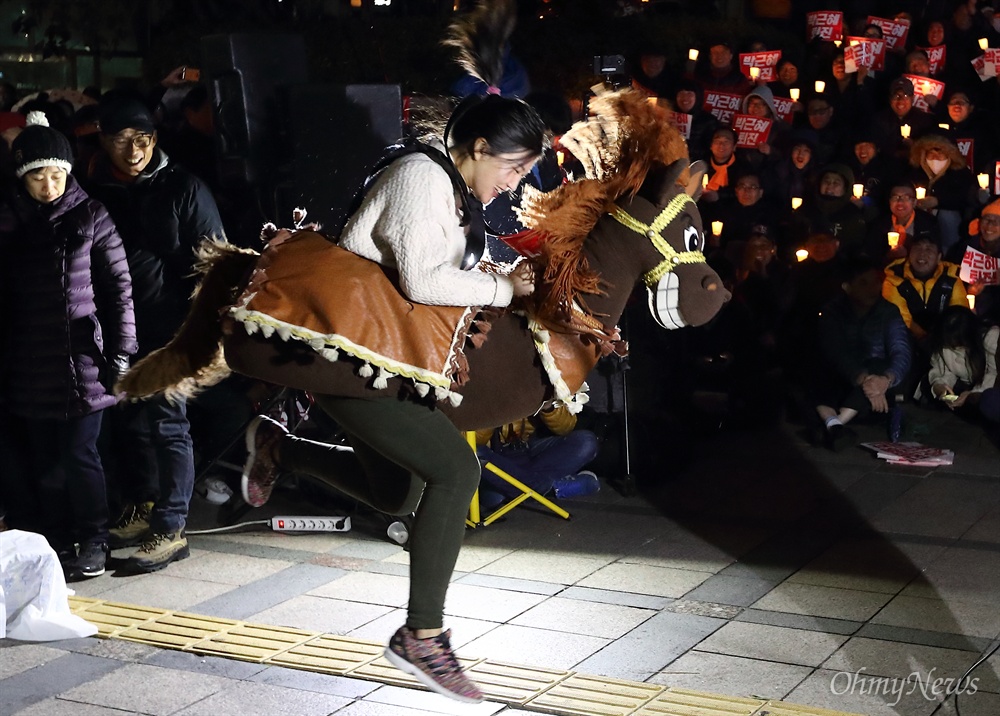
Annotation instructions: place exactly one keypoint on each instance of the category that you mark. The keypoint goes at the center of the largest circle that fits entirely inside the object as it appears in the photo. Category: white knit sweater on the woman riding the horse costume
(409, 220)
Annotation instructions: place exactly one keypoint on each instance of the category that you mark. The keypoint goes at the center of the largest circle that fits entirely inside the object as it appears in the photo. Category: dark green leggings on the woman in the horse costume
(404, 454)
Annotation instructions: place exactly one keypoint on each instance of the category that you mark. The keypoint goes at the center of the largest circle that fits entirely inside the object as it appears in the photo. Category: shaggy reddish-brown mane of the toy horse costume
(623, 140)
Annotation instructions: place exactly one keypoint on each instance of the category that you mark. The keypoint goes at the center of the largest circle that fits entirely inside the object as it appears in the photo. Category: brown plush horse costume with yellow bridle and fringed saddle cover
(596, 239)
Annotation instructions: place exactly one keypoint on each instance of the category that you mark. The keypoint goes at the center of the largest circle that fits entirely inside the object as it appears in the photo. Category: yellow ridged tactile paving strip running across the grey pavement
(550, 691)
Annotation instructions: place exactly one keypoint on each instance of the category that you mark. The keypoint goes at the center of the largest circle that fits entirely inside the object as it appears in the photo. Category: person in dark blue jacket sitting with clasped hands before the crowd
(865, 354)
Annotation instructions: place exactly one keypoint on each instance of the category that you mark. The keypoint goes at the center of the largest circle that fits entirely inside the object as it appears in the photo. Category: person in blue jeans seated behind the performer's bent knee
(547, 453)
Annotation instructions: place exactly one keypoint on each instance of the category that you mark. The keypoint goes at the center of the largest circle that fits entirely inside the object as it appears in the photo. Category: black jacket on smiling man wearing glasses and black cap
(162, 216)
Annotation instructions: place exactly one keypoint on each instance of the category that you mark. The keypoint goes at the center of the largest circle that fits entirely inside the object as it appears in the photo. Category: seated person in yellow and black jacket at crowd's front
(922, 286)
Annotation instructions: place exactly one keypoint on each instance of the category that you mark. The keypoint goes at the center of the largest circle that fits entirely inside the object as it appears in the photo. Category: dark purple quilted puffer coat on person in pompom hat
(66, 296)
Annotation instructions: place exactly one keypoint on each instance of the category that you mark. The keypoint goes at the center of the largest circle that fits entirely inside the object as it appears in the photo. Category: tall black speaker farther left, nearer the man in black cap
(248, 76)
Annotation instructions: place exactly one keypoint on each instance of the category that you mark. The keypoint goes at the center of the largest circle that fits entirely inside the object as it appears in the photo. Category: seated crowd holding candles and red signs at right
(843, 228)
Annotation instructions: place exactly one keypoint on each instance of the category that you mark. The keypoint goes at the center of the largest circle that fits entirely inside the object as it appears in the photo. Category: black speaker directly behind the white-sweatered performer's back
(337, 133)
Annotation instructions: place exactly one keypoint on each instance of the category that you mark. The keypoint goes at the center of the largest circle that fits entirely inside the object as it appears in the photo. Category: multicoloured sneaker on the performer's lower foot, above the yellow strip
(433, 663)
